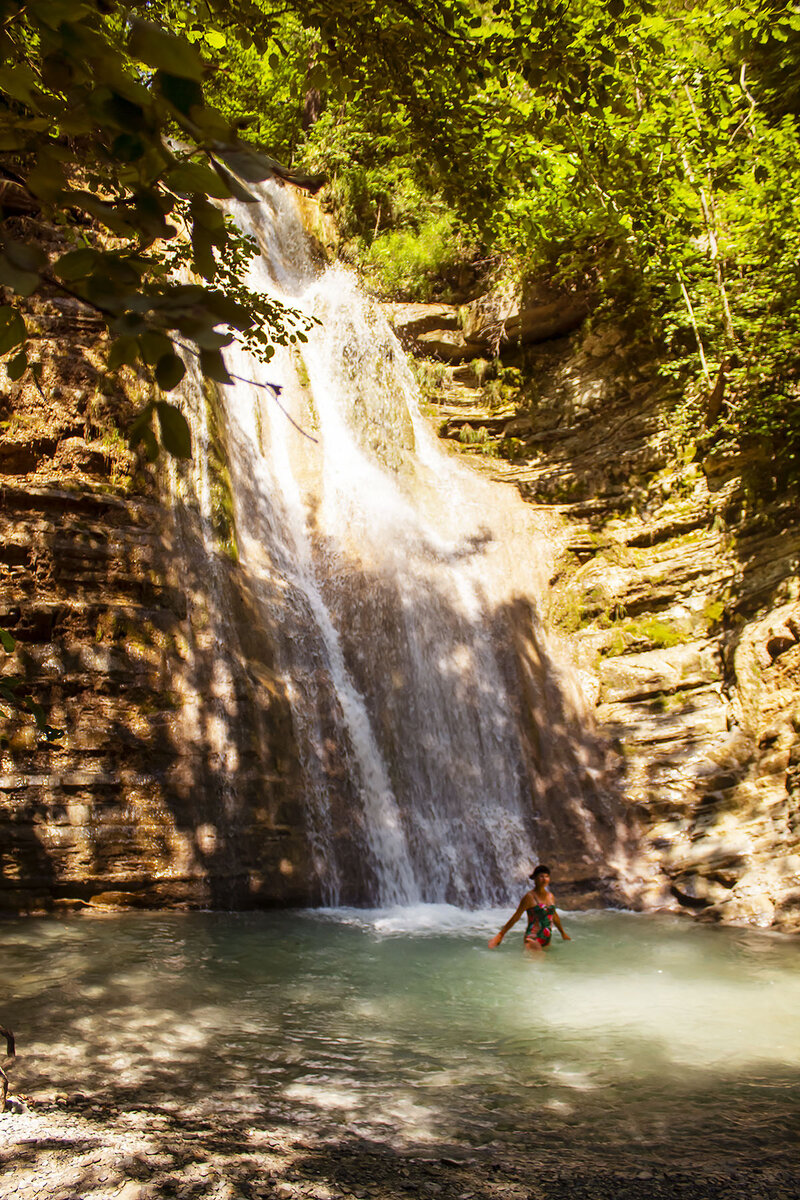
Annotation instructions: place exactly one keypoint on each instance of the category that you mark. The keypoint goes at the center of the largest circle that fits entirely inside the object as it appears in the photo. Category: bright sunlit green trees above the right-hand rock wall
(642, 152)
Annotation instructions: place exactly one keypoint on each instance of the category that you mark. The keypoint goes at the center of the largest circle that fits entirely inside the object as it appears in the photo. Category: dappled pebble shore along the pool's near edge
(73, 1148)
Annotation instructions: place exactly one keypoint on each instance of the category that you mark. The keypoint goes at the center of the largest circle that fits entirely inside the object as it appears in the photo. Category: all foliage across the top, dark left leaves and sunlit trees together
(645, 152)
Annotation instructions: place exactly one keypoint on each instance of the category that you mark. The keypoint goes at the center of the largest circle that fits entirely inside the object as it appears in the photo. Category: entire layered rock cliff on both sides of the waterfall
(177, 781)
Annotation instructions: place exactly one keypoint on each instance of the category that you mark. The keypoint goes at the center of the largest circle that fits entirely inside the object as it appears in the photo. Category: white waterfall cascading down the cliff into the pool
(395, 577)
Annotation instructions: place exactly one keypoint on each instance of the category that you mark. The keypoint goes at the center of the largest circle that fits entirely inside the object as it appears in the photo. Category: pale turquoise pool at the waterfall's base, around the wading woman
(405, 1028)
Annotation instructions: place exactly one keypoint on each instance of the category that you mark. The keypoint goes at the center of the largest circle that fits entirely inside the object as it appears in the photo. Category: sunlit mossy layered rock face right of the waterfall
(676, 590)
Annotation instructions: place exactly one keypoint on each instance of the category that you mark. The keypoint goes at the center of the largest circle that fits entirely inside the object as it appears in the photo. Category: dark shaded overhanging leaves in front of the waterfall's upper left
(105, 130)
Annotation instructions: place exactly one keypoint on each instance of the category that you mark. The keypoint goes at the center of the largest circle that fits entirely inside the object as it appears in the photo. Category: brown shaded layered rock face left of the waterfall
(176, 781)
